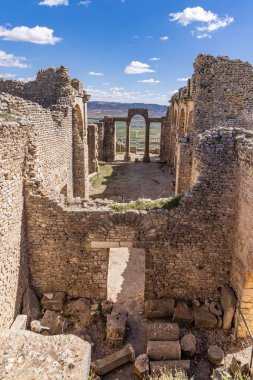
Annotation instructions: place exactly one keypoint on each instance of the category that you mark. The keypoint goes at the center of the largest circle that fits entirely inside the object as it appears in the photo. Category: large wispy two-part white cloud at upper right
(210, 21)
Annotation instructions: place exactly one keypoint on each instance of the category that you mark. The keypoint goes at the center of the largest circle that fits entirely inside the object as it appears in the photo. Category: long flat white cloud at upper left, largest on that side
(37, 35)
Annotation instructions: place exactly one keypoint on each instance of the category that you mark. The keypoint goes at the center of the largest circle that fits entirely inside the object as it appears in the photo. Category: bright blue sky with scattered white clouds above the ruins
(122, 50)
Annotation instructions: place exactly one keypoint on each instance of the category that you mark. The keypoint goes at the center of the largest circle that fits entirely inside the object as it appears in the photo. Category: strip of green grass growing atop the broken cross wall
(142, 204)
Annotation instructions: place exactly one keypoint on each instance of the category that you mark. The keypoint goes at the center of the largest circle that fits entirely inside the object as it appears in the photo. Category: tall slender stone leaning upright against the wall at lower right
(228, 302)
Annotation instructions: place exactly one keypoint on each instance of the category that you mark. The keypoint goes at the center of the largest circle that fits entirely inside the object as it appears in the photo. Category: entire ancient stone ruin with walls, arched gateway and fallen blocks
(56, 244)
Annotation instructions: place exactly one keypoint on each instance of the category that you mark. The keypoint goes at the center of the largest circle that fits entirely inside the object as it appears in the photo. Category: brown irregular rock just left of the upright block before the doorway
(81, 309)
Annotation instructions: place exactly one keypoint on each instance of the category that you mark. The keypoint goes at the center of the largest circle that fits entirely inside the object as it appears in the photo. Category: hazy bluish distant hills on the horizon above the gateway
(100, 109)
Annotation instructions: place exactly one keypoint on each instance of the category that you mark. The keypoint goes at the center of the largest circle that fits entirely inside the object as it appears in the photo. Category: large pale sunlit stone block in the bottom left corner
(25, 355)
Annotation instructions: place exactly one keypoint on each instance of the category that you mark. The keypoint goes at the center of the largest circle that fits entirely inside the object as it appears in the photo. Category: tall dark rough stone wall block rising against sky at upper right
(223, 93)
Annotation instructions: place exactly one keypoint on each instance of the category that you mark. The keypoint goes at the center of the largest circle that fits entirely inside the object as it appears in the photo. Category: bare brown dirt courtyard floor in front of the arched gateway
(131, 181)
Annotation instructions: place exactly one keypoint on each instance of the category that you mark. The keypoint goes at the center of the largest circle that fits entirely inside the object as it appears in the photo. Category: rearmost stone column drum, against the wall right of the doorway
(159, 308)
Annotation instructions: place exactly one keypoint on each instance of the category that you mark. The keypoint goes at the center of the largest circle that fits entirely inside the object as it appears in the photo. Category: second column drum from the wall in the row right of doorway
(163, 331)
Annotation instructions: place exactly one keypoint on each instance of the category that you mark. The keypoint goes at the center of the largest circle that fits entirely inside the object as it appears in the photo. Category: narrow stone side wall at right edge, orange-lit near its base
(242, 270)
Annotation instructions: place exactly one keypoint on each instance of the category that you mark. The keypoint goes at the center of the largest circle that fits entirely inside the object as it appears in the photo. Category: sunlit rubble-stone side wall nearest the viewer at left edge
(14, 142)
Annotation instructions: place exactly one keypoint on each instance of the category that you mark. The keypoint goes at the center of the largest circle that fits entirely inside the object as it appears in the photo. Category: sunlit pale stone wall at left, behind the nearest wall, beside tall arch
(53, 135)
